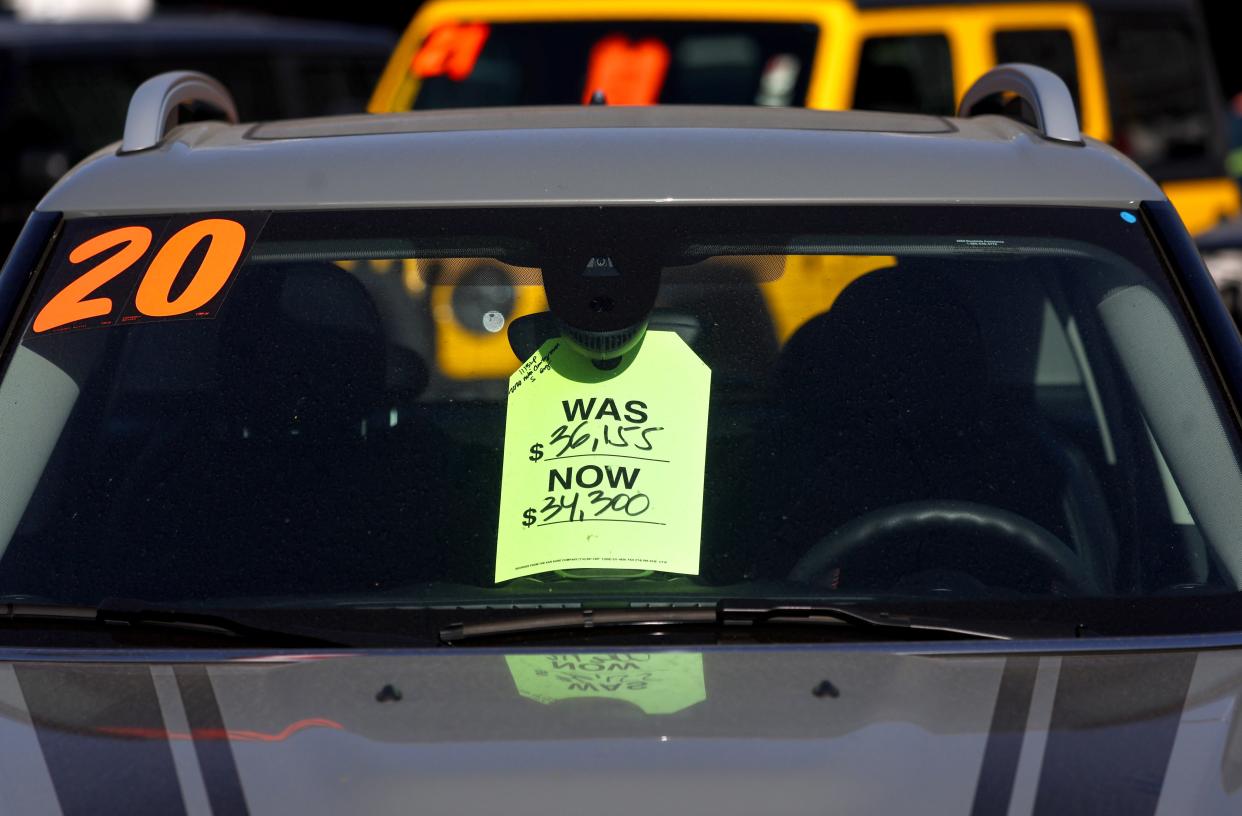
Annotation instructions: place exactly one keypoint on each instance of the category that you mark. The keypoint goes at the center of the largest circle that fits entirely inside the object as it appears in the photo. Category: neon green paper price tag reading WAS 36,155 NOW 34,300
(604, 469)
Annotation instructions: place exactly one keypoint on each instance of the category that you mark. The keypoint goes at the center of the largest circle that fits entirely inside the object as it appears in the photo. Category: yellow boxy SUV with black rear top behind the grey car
(1141, 71)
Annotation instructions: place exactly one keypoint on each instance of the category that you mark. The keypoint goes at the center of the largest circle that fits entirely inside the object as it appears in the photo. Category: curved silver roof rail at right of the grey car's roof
(1045, 94)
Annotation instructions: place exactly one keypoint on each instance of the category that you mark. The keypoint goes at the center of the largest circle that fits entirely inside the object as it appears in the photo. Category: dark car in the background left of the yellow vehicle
(66, 85)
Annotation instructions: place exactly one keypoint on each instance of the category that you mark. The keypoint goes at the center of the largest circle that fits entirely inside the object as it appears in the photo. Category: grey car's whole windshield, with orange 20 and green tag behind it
(848, 403)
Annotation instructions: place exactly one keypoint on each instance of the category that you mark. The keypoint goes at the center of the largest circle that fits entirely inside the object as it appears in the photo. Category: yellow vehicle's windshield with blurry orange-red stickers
(633, 63)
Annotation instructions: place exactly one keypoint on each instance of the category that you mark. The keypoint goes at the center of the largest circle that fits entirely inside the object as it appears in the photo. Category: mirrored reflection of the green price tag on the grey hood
(658, 684)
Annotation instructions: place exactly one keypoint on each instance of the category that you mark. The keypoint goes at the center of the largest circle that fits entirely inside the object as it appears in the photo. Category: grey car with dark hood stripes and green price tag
(962, 535)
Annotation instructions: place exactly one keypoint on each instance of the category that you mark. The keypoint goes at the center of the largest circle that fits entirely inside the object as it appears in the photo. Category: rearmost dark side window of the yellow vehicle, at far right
(1162, 94)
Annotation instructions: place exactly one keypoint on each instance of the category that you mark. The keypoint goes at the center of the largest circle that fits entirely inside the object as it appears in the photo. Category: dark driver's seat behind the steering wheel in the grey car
(887, 399)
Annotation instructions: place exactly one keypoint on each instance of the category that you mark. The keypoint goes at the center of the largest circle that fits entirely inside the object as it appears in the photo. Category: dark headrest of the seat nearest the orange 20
(302, 350)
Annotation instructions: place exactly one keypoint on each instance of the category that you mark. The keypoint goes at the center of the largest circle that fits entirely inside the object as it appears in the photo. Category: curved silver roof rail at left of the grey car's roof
(153, 110)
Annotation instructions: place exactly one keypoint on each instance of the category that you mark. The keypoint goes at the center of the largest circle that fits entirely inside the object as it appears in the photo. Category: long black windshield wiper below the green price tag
(726, 614)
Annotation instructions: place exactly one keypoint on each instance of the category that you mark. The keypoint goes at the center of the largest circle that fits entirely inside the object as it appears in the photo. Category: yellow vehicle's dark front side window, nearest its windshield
(906, 75)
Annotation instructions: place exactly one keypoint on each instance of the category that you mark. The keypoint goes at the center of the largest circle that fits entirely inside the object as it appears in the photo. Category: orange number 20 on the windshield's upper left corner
(74, 304)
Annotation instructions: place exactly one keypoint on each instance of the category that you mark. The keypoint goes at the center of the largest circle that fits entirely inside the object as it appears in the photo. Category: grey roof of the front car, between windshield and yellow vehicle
(599, 156)
